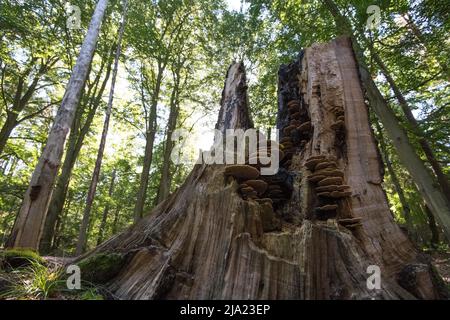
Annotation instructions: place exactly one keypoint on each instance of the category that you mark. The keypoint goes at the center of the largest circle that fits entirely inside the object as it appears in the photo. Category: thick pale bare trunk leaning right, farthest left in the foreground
(31, 218)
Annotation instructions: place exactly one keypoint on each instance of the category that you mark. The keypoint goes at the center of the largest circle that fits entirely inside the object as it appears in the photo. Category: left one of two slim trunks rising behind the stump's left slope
(148, 152)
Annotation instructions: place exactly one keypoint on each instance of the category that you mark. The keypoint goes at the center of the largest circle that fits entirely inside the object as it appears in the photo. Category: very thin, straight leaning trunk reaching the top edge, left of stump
(82, 238)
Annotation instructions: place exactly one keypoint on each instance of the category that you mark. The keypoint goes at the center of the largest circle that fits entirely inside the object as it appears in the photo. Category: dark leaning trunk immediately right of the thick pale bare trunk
(75, 142)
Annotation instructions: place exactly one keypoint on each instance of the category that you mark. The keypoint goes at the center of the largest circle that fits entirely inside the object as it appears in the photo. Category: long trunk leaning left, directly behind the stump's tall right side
(435, 199)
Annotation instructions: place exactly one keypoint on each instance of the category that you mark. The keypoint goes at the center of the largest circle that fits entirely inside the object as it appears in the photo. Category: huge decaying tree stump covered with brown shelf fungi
(308, 232)
